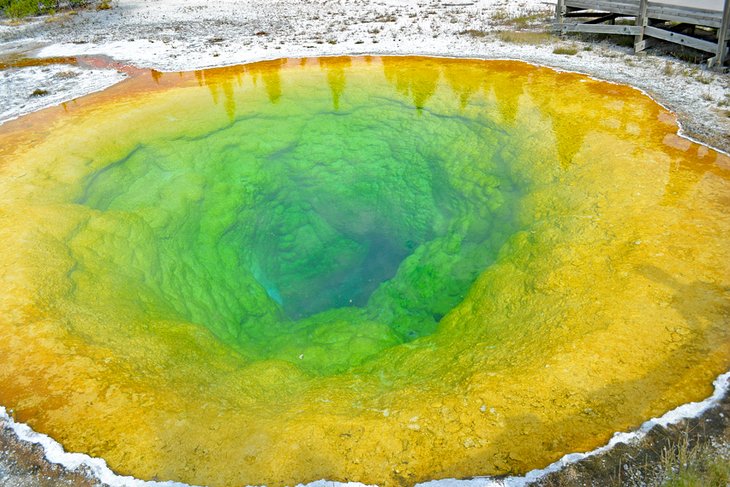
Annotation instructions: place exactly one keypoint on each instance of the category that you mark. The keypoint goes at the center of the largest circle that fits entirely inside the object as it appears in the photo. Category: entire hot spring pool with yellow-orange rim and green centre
(385, 270)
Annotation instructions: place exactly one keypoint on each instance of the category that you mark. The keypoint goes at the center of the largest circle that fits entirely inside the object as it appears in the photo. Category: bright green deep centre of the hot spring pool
(315, 232)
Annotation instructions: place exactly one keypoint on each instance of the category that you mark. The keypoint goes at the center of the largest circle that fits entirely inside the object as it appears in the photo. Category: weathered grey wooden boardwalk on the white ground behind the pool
(669, 20)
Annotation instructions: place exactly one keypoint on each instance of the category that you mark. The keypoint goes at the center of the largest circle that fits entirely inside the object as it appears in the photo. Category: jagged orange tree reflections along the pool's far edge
(509, 93)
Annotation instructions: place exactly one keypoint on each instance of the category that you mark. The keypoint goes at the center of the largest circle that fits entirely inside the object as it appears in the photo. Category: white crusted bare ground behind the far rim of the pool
(172, 35)
